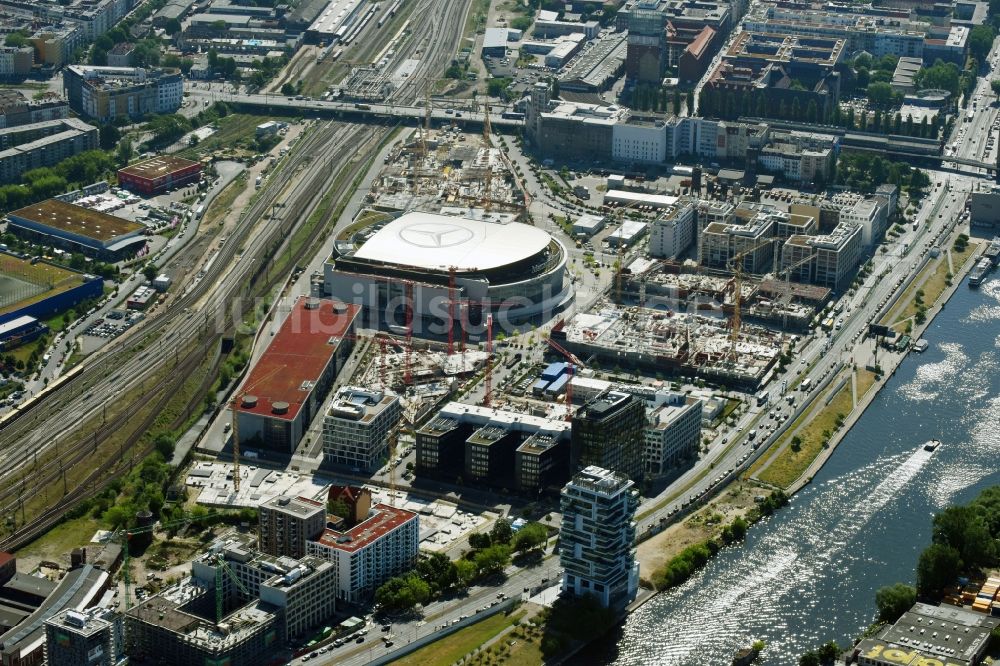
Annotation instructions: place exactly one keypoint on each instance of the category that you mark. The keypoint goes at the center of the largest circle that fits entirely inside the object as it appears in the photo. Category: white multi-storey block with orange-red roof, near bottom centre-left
(383, 544)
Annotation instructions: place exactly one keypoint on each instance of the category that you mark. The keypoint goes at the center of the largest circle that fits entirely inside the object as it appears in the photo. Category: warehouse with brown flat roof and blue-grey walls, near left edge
(78, 229)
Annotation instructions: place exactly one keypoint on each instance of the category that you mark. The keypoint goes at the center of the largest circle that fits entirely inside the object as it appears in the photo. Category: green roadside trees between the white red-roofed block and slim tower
(436, 575)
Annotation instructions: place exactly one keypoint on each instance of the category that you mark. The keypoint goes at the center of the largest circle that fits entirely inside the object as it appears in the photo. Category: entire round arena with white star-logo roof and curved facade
(449, 266)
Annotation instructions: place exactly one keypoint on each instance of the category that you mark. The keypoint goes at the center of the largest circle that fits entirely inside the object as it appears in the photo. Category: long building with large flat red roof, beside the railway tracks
(283, 392)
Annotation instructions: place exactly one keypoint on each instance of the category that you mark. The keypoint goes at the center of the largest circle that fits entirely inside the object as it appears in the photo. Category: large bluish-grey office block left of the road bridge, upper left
(109, 93)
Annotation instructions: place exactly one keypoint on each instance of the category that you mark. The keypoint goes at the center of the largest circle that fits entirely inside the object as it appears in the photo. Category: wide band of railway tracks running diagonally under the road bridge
(194, 322)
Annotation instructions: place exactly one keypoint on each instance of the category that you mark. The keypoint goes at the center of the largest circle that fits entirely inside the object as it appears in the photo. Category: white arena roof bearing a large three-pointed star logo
(430, 241)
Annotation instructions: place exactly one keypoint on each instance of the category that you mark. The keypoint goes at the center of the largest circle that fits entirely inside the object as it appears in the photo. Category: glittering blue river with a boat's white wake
(809, 574)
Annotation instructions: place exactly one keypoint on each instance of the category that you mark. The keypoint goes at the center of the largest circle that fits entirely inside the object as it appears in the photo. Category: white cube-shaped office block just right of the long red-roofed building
(357, 428)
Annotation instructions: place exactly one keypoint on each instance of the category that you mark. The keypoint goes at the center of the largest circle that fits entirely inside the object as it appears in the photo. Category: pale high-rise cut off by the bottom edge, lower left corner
(93, 637)
